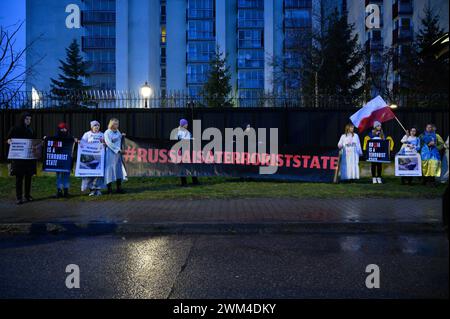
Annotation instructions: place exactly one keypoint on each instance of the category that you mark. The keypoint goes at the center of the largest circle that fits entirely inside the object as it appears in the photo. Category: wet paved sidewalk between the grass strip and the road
(239, 215)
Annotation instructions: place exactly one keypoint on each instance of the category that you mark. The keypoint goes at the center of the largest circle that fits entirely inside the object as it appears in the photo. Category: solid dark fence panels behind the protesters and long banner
(305, 127)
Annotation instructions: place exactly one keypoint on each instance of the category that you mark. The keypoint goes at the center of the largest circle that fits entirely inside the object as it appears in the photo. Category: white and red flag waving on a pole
(375, 110)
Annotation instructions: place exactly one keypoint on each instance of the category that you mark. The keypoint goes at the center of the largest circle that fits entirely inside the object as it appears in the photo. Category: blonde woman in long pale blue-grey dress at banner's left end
(114, 169)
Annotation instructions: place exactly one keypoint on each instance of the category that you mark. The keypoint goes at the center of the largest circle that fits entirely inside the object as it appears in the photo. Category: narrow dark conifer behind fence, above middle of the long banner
(216, 91)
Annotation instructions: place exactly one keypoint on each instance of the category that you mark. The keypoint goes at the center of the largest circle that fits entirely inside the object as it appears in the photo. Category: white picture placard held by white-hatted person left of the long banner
(90, 159)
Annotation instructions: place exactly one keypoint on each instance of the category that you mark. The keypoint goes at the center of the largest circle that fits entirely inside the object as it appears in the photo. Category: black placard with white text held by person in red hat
(58, 154)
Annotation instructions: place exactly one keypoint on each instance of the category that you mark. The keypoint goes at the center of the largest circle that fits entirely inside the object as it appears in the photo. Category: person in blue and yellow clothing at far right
(431, 144)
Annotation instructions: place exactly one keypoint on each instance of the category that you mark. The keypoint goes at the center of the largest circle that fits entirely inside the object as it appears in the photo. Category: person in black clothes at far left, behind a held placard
(23, 169)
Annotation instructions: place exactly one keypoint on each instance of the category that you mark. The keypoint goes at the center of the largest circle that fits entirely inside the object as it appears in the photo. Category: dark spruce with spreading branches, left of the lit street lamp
(74, 70)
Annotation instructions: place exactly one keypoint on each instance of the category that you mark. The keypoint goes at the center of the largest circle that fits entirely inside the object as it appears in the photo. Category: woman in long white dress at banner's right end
(350, 147)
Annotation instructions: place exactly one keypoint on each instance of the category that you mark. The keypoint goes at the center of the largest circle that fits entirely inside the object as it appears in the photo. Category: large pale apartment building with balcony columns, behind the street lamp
(169, 43)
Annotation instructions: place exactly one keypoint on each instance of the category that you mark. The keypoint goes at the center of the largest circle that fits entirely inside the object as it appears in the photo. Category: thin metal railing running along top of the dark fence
(180, 99)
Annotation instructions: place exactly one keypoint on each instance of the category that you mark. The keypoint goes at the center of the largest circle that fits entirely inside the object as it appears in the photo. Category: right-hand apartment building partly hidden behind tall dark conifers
(400, 20)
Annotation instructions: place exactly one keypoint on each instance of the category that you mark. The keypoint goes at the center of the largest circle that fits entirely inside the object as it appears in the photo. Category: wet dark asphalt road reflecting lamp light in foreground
(226, 266)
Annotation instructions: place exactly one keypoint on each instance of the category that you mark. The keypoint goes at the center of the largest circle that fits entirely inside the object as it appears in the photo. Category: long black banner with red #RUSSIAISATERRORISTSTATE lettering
(157, 158)
